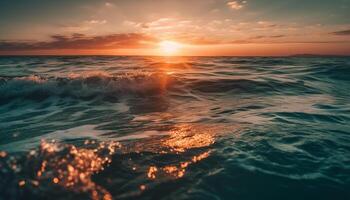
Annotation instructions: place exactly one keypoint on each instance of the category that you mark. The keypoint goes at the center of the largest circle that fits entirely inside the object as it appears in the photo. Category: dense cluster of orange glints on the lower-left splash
(72, 167)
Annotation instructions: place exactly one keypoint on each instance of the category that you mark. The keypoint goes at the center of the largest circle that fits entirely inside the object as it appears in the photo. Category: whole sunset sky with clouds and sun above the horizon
(175, 27)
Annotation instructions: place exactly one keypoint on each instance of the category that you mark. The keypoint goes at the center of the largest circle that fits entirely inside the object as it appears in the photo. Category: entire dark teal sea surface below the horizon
(174, 128)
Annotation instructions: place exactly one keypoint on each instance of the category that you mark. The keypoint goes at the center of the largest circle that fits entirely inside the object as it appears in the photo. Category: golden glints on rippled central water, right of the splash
(178, 139)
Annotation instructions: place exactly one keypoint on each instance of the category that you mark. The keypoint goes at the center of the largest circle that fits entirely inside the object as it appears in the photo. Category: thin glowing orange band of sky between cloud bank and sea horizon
(209, 50)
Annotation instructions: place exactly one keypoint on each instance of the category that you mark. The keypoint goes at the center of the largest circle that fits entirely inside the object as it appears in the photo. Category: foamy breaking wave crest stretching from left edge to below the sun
(82, 86)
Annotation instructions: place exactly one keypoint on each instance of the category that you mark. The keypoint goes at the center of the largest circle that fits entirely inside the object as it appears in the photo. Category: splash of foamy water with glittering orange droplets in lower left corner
(65, 166)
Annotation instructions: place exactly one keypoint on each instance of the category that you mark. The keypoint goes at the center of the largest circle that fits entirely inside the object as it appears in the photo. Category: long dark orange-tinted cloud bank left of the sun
(81, 41)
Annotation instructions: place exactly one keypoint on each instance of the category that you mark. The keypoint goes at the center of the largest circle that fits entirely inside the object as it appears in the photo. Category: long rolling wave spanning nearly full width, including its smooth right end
(87, 86)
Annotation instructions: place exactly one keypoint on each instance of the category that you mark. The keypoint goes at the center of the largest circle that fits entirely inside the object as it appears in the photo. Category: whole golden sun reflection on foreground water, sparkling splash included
(72, 168)
